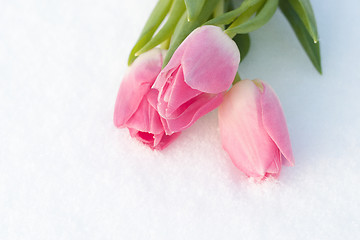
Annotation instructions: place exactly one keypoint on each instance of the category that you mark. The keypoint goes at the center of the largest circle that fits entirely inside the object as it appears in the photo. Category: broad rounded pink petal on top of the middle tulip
(210, 60)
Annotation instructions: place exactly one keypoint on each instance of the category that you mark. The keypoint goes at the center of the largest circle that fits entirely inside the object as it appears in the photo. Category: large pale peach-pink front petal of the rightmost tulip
(242, 132)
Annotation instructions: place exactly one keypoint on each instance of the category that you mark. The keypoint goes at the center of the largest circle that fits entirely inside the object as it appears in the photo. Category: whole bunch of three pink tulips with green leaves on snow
(189, 66)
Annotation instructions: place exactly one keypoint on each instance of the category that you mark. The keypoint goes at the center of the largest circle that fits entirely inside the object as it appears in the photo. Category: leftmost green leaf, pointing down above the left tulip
(157, 16)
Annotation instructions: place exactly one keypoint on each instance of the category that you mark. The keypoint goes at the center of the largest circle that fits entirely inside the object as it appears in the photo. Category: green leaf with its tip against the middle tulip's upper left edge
(184, 27)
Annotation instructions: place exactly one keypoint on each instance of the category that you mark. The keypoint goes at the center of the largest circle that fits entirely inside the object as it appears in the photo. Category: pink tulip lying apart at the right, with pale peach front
(253, 129)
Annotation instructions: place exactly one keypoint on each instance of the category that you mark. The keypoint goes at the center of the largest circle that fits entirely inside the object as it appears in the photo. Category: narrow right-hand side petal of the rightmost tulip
(275, 123)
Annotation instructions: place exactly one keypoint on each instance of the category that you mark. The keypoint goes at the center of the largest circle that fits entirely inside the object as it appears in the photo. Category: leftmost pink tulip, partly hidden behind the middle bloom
(133, 108)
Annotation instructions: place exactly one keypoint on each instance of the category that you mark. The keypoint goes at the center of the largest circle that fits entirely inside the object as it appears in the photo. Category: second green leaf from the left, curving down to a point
(176, 11)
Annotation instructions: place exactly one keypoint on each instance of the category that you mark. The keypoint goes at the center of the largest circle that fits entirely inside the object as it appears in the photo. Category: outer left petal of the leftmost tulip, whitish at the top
(136, 83)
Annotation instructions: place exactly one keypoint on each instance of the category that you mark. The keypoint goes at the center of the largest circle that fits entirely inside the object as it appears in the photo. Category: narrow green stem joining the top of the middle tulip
(229, 17)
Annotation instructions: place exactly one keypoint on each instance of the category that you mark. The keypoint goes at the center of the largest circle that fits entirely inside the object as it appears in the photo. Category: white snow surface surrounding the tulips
(67, 173)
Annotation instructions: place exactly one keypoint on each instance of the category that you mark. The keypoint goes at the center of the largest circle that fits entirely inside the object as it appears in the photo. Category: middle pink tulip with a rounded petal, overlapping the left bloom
(194, 81)
